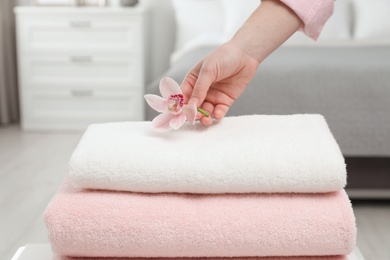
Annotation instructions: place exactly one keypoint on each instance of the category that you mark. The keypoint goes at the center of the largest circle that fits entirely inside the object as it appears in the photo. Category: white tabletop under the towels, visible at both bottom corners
(43, 252)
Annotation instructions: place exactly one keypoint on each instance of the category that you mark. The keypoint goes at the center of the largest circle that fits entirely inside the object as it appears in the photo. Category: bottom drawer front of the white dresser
(76, 109)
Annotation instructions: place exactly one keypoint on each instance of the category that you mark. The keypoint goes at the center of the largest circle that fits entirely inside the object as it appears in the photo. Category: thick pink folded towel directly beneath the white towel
(122, 224)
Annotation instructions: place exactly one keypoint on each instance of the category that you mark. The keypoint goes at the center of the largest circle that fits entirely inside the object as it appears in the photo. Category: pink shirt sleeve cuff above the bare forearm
(313, 13)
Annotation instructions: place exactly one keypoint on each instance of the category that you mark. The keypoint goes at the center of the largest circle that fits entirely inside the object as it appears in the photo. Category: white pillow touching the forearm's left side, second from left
(236, 13)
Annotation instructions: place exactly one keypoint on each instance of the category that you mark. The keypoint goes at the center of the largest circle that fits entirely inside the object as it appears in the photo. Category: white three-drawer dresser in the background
(80, 65)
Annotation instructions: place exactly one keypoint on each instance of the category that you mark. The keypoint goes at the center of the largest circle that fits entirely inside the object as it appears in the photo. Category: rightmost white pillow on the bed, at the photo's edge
(372, 19)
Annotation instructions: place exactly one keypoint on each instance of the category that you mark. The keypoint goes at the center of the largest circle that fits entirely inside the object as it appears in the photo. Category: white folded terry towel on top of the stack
(295, 153)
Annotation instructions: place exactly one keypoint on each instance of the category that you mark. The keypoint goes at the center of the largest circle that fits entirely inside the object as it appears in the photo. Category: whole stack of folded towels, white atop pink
(253, 186)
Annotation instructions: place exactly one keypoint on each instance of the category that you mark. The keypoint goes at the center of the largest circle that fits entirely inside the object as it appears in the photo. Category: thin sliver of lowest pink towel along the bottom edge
(215, 258)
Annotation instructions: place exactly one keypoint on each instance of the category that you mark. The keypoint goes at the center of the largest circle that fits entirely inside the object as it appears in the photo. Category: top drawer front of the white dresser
(80, 32)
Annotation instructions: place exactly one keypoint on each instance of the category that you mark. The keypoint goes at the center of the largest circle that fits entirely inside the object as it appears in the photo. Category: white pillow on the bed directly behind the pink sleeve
(338, 27)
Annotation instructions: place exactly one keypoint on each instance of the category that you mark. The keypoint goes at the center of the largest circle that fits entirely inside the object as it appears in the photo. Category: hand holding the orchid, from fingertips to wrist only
(218, 80)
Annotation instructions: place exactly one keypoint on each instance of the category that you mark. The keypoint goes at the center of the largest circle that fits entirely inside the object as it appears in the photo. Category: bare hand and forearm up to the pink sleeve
(221, 77)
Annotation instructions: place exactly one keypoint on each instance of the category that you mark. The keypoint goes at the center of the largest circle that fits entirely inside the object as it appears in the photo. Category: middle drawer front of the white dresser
(56, 72)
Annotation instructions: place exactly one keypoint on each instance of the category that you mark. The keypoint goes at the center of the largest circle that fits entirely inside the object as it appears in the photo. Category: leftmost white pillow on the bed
(197, 17)
